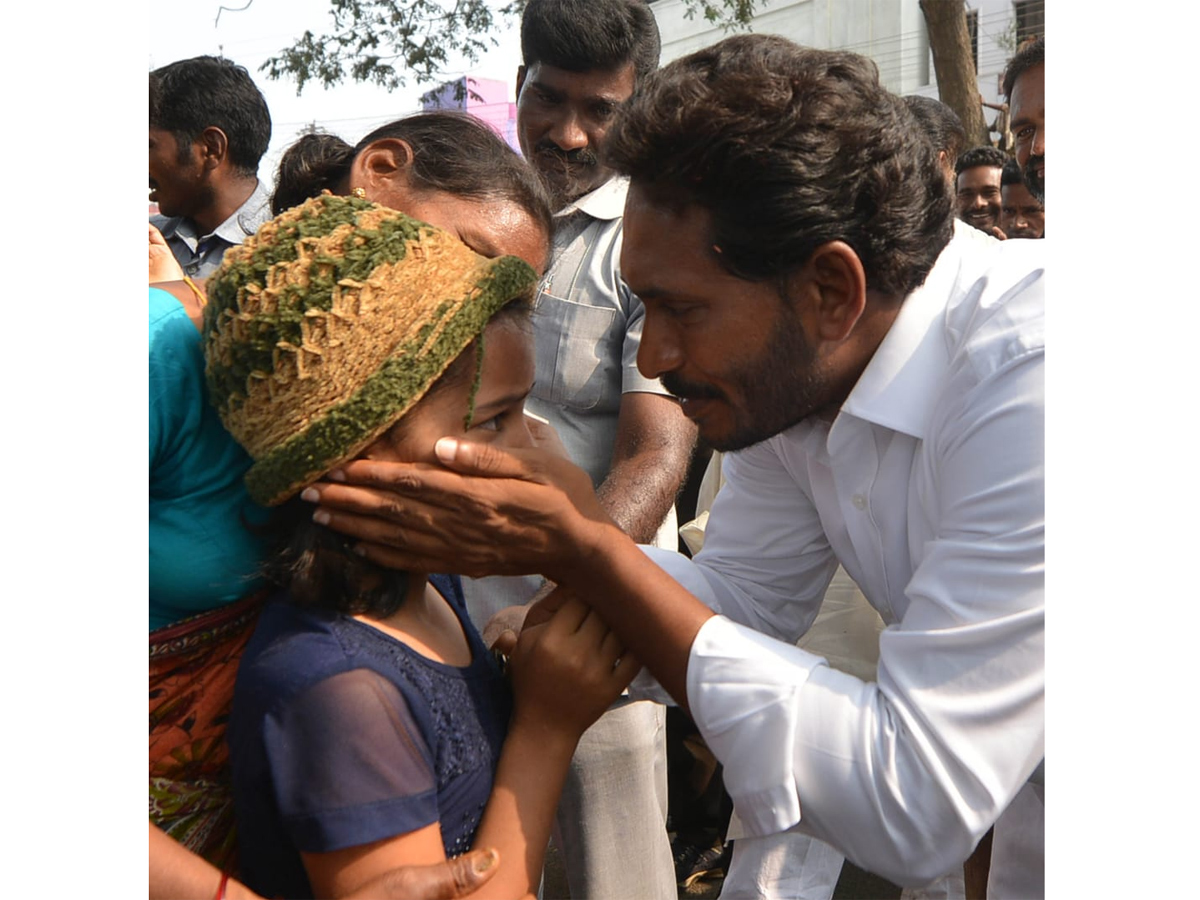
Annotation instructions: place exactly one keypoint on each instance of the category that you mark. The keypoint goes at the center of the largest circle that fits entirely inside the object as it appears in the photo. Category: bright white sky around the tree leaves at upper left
(190, 28)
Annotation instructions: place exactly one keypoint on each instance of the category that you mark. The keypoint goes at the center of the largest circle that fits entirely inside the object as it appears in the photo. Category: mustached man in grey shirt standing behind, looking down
(583, 59)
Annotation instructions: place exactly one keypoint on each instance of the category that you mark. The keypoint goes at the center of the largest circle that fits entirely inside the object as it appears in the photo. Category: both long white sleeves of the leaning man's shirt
(903, 775)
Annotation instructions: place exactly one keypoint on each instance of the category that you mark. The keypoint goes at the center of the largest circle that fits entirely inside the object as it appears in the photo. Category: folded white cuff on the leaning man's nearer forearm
(745, 692)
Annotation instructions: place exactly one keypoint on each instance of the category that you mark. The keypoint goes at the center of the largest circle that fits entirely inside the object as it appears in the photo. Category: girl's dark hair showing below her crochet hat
(317, 567)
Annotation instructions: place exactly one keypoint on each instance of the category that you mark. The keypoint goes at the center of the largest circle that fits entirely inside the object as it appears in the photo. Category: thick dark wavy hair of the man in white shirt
(789, 148)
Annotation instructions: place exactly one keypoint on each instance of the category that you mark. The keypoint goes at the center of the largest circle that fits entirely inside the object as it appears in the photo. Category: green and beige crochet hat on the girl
(326, 327)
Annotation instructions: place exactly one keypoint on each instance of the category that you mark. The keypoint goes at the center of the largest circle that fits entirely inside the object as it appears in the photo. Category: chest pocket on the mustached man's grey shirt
(583, 364)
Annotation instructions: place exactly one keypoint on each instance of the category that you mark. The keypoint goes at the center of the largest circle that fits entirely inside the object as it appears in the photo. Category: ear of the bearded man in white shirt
(833, 285)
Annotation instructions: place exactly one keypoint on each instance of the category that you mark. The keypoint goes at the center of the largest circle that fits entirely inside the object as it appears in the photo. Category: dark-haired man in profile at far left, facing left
(209, 128)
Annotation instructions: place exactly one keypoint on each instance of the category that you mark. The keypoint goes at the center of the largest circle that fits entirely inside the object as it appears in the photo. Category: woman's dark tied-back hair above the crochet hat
(453, 153)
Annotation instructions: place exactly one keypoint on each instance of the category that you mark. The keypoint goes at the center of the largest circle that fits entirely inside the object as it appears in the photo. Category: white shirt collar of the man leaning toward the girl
(899, 387)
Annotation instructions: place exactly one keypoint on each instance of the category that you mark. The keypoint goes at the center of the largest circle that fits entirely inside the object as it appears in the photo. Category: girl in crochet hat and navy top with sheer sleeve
(371, 728)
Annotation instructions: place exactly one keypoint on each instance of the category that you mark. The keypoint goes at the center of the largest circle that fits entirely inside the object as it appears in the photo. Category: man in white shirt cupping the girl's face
(877, 374)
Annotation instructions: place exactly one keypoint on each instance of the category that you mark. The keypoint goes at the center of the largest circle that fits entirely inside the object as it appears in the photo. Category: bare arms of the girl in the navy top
(567, 673)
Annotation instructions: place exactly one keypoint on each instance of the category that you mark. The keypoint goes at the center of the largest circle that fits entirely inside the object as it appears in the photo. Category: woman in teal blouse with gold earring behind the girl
(206, 566)
